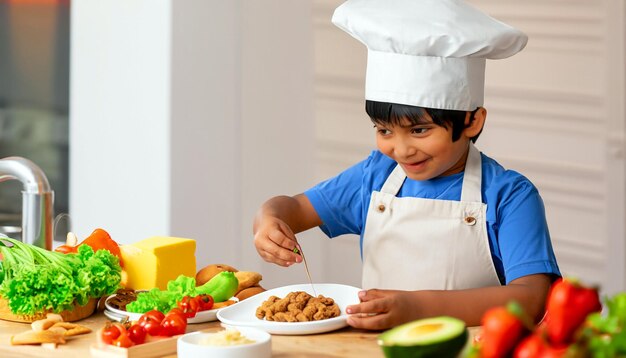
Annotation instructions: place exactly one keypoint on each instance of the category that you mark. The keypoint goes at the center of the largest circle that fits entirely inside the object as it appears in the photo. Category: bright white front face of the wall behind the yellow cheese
(120, 118)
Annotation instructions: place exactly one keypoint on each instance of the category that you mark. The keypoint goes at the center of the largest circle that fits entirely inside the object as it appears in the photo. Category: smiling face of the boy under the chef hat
(424, 151)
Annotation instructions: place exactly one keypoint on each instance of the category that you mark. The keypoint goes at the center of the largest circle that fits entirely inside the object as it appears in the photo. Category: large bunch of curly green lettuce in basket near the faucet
(33, 279)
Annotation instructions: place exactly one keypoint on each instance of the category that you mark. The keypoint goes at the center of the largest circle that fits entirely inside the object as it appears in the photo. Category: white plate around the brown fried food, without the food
(244, 312)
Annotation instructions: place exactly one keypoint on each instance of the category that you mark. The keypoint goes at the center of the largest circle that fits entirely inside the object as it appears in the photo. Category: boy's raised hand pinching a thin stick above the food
(275, 241)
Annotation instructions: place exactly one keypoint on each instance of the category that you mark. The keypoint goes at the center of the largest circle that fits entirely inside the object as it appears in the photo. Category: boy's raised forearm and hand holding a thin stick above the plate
(277, 222)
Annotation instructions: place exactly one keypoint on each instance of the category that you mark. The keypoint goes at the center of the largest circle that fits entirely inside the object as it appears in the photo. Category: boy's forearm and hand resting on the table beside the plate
(392, 308)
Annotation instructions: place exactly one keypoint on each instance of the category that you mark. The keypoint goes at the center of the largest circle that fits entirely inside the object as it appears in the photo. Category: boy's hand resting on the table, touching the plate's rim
(382, 309)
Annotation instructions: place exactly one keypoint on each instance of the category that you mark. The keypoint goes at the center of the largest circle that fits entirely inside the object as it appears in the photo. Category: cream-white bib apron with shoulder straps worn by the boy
(428, 244)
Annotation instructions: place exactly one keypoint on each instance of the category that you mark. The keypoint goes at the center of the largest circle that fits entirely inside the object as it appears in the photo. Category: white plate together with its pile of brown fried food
(295, 309)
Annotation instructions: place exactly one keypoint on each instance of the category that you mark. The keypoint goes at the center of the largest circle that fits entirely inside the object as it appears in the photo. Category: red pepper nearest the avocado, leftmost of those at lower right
(502, 328)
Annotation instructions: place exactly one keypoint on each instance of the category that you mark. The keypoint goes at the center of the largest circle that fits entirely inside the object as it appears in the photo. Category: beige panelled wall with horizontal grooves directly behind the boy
(556, 114)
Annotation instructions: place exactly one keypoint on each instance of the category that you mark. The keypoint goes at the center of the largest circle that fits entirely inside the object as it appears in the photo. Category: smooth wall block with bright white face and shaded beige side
(186, 116)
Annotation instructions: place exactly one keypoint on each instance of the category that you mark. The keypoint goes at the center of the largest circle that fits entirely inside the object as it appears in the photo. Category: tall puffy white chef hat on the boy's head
(427, 53)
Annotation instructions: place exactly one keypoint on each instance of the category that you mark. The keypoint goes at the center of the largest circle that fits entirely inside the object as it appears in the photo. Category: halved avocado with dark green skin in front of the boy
(431, 337)
